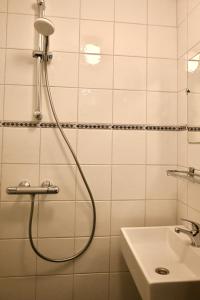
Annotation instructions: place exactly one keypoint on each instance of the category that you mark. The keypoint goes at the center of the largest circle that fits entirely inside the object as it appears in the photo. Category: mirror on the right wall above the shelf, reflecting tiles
(193, 96)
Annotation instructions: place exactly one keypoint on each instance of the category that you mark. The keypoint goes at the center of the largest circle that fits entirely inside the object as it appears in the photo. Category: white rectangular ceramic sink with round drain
(147, 248)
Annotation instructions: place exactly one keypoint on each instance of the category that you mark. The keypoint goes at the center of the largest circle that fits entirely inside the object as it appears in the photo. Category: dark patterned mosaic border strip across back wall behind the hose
(28, 124)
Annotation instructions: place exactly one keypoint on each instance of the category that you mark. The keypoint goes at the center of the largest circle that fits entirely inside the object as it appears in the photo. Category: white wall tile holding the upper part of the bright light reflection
(96, 37)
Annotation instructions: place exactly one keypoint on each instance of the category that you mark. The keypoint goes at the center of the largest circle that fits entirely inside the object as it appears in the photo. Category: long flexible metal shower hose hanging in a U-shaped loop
(79, 253)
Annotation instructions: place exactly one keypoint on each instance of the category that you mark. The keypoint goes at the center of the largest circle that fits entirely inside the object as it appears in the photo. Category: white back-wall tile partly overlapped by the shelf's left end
(159, 185)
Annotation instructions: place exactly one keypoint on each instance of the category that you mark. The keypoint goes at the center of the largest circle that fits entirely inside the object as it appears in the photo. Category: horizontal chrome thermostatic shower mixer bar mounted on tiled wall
(24, 188)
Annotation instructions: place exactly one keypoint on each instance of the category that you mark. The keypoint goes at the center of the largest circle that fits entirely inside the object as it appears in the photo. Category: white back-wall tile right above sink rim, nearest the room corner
(160, 212)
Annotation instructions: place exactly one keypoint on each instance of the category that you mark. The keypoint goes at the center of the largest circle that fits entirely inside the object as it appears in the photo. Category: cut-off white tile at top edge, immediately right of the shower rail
(66, 8)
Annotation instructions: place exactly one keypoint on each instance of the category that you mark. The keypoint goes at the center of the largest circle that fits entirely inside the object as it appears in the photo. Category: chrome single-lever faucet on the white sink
(194, 233)
